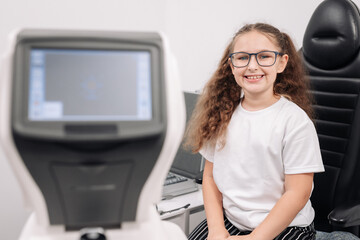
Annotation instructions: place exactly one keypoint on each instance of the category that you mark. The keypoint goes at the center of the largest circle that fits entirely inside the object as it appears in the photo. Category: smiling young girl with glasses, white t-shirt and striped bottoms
(253, 125)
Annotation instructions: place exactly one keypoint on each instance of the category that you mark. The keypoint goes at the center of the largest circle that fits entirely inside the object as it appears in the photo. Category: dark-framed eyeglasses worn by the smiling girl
(263, 58)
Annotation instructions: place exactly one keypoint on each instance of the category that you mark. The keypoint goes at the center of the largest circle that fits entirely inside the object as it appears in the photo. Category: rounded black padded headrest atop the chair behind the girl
(332, 38)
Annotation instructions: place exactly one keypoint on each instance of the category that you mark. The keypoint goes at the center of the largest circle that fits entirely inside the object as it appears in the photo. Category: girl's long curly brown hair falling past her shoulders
(221, 95)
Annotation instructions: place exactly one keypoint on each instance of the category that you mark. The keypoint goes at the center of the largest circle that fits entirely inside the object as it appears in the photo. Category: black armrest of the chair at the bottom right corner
(346, 215)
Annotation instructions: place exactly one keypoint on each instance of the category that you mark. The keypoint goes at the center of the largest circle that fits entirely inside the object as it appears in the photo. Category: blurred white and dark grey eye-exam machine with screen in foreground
(90, 123)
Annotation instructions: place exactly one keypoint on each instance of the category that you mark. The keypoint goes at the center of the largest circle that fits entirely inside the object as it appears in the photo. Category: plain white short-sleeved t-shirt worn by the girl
(261, 147)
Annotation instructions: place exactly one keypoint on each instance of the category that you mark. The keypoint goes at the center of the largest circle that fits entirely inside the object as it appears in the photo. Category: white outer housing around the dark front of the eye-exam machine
(147, 221)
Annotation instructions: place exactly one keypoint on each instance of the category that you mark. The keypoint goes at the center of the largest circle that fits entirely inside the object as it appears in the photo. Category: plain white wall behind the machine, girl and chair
(198, 31)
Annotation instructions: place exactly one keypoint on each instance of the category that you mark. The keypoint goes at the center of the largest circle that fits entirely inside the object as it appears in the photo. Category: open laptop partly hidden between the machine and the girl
(186, 166)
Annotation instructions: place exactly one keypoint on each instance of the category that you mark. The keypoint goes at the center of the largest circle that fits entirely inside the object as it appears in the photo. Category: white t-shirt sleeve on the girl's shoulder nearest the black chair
(301, 150)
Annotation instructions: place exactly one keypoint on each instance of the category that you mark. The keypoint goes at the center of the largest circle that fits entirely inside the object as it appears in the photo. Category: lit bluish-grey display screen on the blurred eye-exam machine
(89, 85)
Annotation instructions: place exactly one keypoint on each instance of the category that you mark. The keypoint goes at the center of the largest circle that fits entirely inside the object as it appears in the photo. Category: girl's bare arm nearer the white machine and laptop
(213, 205)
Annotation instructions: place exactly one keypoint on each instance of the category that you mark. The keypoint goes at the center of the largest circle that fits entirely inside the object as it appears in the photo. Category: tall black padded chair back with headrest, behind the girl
(331, 54)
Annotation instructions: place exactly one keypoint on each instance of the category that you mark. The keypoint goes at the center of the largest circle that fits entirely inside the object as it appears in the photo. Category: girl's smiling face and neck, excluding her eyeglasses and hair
(257, 81)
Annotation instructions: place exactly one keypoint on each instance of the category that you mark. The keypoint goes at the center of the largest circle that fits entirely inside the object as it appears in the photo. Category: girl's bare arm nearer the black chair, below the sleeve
(297, 193)
